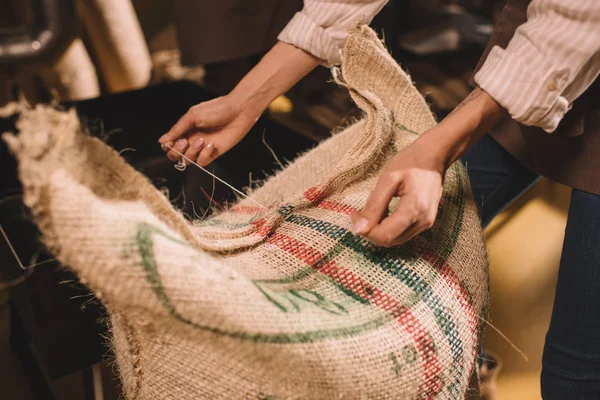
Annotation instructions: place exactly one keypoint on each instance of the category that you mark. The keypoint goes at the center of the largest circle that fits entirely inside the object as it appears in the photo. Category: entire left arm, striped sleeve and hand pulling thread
(314, 36)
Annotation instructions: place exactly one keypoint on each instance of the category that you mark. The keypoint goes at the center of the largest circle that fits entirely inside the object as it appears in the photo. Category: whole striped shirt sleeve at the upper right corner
(551, 60)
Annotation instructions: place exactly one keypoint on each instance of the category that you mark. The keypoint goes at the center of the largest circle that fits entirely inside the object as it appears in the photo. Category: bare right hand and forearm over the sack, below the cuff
(416, 173)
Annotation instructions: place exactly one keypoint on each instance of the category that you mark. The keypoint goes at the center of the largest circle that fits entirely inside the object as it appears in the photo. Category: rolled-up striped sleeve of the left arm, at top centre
(322, 26)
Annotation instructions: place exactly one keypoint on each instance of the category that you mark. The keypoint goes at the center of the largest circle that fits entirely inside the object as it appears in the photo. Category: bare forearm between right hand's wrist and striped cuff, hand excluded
(470, 120)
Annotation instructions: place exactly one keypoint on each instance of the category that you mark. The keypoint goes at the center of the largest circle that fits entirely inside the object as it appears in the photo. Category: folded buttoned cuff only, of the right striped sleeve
(531, 96)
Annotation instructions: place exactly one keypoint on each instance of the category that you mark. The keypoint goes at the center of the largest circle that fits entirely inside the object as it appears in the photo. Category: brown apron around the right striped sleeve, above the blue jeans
(570, 155)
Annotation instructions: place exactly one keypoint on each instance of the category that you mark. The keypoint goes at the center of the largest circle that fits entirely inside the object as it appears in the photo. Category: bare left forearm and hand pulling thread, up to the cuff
(210, 129)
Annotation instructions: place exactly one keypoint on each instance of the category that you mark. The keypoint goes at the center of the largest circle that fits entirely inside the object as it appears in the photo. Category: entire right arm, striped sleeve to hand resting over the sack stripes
(549, 62)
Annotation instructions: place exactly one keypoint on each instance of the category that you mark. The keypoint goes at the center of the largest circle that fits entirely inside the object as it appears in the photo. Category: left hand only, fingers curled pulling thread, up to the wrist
(208, 130)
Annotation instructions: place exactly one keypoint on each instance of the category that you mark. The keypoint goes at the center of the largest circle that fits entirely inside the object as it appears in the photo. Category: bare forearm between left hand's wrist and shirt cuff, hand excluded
(279, 70)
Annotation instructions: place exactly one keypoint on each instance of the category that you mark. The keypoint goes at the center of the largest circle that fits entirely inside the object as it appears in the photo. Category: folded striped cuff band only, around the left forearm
(305, 34)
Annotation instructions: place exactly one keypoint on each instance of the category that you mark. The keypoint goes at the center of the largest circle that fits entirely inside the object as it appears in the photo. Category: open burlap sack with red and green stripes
(276, 303)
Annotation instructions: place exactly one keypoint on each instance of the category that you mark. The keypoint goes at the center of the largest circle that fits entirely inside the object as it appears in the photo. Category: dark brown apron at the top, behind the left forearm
(213, 31)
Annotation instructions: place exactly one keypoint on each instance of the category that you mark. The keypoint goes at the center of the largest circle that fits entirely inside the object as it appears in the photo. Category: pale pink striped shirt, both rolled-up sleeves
(551, 60)
